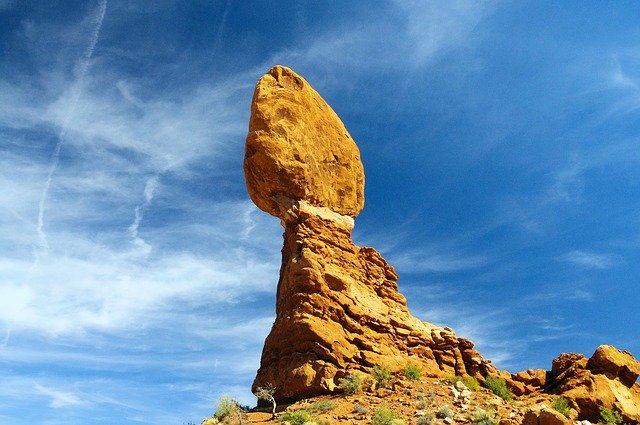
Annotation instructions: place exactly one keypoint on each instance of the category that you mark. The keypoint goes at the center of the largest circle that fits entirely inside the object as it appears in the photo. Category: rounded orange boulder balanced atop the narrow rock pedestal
(299, 149)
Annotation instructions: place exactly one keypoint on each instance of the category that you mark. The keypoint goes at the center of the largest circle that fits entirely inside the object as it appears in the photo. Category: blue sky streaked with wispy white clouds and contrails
(137, 280)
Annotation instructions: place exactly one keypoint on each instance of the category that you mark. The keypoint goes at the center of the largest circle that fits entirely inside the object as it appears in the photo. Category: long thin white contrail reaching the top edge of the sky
(43, 243)
